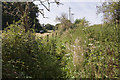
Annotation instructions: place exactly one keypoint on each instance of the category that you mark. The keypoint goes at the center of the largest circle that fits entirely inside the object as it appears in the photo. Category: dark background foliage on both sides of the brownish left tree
(9, 17)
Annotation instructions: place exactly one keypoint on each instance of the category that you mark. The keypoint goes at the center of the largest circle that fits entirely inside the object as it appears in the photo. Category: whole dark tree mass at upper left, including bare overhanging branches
(25, 11)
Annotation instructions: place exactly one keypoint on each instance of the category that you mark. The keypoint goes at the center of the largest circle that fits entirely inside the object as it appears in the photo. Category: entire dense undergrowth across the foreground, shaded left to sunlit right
(80, 52)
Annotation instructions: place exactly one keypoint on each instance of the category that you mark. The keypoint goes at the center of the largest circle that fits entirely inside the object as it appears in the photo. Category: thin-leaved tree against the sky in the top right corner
(110, 10)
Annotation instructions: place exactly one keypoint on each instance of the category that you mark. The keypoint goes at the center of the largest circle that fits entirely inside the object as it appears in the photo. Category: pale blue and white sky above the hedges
(80, 9)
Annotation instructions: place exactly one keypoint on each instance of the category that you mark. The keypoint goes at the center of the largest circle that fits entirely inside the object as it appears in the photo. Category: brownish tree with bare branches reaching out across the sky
(22, 10)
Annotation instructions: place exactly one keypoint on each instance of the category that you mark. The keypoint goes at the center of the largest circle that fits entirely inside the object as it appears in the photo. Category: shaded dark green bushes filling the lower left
(23, 56)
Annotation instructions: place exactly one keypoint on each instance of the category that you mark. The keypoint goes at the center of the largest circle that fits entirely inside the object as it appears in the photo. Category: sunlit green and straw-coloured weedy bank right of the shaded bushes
(99, 48)
